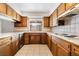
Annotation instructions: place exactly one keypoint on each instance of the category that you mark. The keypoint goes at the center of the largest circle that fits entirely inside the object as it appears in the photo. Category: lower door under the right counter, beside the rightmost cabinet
(61, 51)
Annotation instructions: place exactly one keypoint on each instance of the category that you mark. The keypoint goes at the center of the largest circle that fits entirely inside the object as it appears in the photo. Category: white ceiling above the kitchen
(34, 9)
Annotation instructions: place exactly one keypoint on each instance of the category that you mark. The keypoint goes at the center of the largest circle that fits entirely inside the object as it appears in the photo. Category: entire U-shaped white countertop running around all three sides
(72, 40)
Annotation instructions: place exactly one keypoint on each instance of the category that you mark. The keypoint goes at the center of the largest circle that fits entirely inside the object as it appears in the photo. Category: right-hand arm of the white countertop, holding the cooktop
(71, 40)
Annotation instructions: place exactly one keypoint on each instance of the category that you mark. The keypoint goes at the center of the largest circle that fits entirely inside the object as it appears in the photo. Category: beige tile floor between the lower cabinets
(34, 50)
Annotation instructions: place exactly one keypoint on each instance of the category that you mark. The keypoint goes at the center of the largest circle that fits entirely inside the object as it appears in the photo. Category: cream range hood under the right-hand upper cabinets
(70, 12)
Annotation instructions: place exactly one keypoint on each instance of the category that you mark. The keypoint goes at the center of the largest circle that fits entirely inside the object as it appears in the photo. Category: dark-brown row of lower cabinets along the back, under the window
(35, 38)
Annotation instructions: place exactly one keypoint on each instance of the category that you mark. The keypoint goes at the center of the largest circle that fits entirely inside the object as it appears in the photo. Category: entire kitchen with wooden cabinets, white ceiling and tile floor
(50, 32)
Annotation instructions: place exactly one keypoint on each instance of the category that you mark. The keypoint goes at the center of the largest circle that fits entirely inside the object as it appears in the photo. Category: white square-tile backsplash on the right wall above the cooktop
(71, 26)
